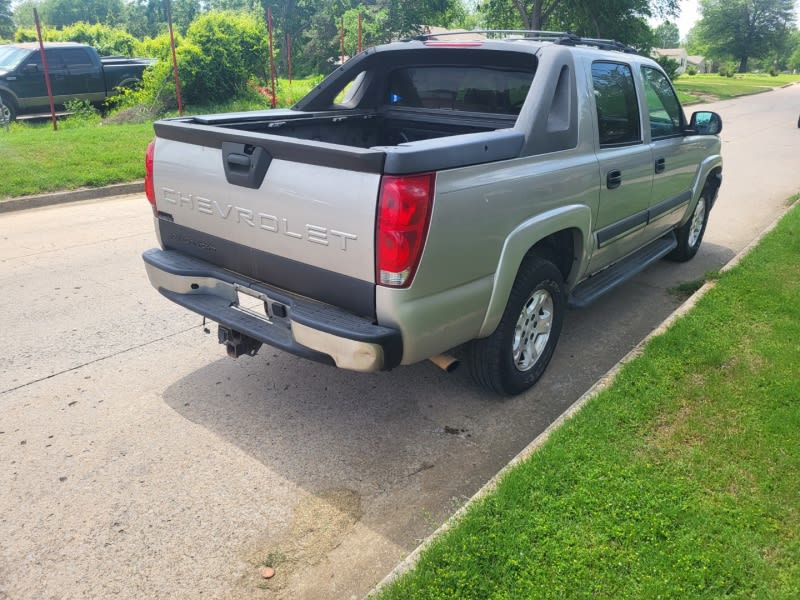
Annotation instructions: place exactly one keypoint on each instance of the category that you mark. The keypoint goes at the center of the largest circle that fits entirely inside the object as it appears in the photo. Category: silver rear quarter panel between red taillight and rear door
(475, 244)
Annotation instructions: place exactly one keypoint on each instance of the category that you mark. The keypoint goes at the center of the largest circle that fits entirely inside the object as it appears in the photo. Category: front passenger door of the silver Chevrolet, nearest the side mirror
(674, 159)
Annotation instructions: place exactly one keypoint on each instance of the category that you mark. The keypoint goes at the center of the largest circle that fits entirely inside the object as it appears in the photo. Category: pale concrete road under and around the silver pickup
(136, 460)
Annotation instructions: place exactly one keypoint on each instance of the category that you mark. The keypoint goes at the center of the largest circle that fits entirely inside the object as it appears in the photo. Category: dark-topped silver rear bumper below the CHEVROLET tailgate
(298, 325)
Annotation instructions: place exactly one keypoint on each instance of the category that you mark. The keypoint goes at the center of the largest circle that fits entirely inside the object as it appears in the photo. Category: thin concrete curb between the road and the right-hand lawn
(604, 382)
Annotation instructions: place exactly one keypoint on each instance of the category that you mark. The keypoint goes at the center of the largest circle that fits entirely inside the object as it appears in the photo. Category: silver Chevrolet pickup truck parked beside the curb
(432, 194)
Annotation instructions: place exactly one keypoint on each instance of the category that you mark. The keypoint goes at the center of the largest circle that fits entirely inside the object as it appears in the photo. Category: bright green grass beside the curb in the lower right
(682, 480)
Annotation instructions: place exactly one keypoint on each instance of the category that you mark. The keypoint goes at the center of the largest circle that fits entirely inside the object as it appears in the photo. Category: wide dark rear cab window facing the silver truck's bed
(463, 88)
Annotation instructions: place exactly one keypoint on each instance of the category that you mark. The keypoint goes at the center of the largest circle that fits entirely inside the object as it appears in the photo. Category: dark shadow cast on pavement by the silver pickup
(409, 446)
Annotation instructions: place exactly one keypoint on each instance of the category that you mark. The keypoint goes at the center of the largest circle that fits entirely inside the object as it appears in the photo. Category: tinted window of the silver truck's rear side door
(617, 106)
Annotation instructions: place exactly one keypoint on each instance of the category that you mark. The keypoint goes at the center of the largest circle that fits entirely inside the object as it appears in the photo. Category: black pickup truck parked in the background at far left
(76, 72)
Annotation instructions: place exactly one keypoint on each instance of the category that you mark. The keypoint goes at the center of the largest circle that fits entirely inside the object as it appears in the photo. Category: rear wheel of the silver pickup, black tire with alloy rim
(515, 356)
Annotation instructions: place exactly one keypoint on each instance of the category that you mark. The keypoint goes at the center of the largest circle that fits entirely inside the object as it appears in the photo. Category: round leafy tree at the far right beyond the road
(745, 29)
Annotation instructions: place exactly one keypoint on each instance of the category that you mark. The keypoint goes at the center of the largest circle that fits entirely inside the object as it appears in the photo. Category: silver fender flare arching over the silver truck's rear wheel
(524, 237)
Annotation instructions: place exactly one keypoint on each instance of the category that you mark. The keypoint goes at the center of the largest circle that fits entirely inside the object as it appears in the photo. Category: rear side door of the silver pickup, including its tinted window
(625, 162)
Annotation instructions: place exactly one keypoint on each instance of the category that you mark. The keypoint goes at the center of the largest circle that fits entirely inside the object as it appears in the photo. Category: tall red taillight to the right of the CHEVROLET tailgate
(404, 210)
